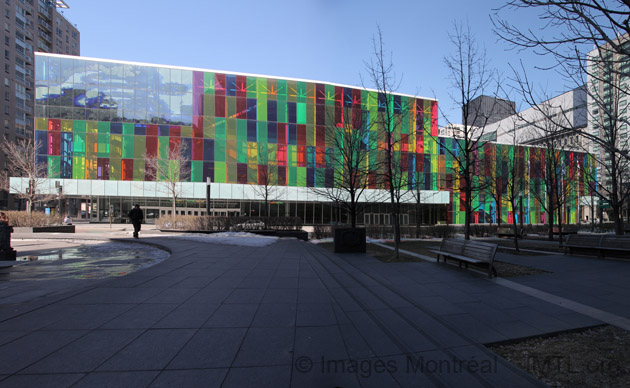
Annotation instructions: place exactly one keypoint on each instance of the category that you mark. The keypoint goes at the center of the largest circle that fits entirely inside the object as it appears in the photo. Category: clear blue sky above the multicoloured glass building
(324, 40)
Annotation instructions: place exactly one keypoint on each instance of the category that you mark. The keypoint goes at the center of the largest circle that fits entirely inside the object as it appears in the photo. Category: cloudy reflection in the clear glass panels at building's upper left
(103, 91)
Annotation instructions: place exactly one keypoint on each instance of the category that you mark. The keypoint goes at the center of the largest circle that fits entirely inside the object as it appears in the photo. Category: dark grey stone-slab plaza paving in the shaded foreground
(288, 314)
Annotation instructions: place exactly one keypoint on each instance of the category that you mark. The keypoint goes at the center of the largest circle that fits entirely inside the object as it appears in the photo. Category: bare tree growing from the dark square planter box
(351, 144)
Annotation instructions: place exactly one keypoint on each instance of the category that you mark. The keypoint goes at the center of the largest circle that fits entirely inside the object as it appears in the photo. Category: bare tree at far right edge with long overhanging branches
(588, 42)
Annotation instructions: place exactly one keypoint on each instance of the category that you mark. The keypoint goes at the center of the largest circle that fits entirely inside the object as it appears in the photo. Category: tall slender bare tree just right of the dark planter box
(381, 75)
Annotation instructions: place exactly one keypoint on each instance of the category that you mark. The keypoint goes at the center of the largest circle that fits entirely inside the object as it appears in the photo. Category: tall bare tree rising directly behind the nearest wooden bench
(471, 77)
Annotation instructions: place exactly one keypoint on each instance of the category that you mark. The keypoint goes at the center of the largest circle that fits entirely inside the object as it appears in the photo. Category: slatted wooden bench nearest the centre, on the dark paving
(467, 251)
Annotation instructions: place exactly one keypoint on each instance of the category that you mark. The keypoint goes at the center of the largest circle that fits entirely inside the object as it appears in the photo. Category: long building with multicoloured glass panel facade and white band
(97, 121)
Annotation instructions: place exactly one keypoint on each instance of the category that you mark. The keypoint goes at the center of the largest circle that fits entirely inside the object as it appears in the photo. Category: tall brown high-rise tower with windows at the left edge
(29, 25)
